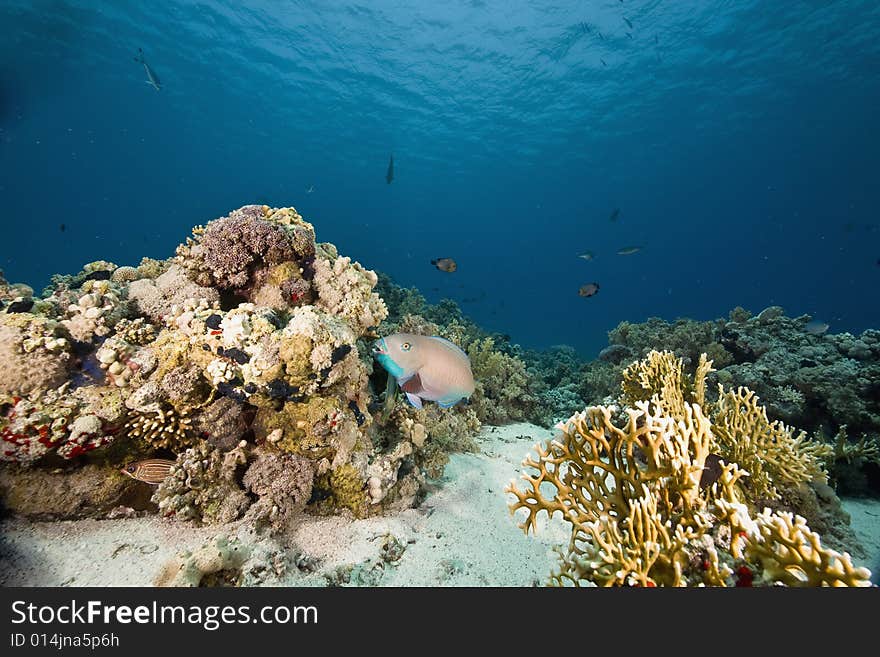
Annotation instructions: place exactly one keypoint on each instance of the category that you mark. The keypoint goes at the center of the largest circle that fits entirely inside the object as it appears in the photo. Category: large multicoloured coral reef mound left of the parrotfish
(239, 356)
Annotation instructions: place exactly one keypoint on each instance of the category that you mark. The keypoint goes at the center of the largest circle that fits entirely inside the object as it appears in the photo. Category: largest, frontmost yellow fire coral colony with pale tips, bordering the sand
(632, 496)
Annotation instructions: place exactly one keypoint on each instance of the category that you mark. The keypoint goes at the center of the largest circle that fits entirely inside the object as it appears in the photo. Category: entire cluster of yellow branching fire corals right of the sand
(648, 507)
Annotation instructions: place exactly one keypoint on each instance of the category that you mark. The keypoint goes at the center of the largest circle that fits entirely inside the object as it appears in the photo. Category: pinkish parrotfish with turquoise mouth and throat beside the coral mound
(426, 368)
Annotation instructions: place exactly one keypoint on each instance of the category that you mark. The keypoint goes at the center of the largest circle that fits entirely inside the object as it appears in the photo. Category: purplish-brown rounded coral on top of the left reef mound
(232, 247)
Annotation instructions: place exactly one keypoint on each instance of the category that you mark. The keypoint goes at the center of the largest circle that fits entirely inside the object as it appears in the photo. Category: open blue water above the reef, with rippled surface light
(739, 140)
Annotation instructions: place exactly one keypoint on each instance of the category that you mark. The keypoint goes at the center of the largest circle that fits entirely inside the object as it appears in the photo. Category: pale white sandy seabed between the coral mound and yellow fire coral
(462, 535)
